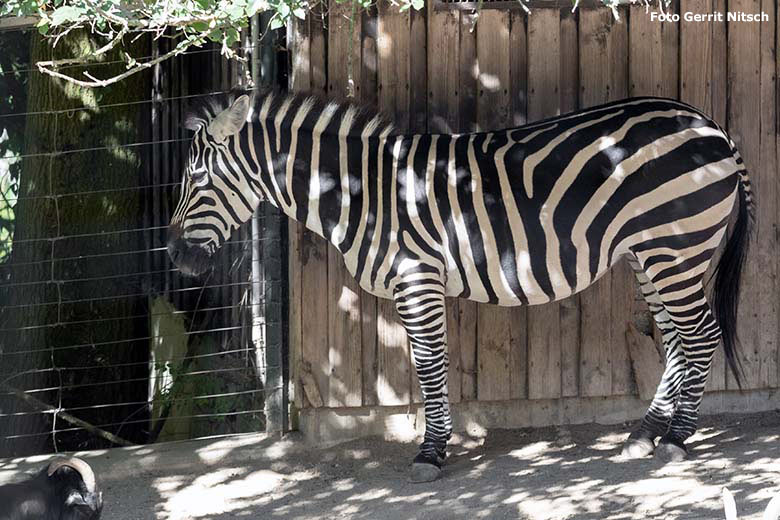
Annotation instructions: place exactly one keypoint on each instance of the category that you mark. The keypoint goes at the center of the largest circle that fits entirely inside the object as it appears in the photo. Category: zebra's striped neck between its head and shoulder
(316, 161)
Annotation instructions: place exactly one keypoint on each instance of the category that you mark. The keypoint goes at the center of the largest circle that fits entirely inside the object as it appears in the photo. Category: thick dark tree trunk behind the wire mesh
(67, 307)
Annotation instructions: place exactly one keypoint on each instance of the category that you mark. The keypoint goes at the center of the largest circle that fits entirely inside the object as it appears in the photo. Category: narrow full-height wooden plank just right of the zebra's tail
(766, 243)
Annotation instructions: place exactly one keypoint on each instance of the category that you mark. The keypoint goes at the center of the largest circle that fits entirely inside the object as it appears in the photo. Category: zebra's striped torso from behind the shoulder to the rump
(534, 214)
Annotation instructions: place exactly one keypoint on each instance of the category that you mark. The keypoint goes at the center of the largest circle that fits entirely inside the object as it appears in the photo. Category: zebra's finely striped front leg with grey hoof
(420, 304)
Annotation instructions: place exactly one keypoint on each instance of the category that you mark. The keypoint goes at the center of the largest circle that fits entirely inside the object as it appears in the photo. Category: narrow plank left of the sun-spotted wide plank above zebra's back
(467, 116)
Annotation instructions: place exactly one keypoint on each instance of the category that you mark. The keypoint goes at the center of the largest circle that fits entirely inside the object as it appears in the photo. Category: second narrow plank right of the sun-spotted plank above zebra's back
(570, 307)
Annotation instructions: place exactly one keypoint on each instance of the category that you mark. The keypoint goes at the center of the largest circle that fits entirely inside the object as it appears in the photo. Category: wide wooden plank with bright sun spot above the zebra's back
(494, 105)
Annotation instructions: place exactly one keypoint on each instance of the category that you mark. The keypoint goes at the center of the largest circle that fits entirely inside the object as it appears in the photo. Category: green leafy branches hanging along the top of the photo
(190, 22)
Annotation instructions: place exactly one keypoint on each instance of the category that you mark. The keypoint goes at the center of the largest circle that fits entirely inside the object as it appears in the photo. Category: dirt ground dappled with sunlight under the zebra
(546, 473)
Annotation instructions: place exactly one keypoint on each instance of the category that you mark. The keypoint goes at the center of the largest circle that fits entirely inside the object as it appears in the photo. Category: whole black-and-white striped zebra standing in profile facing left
(521, 216)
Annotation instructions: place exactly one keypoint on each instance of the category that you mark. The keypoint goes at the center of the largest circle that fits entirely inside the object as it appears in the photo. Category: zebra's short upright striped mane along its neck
(363, 119)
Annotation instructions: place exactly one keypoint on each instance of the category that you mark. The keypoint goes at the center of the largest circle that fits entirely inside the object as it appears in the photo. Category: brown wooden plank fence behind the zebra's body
(435, 71)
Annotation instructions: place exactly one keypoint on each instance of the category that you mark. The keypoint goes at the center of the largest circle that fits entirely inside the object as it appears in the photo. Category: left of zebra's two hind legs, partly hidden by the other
(656, 421)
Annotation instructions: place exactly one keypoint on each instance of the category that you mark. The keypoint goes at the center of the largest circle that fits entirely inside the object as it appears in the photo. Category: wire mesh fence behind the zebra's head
(102, 341)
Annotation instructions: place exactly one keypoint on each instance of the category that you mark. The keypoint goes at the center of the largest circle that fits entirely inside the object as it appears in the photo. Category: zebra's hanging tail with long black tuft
(728, 273)
